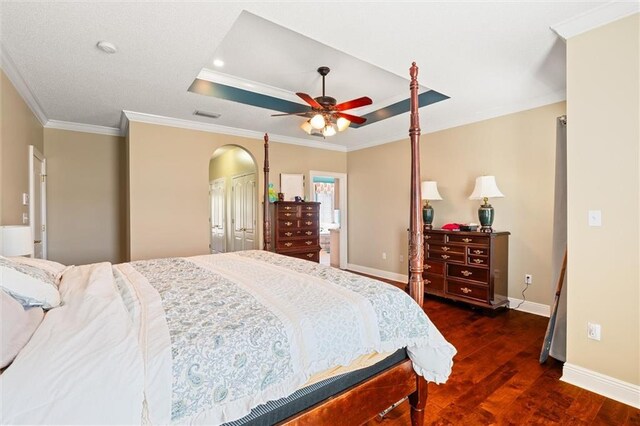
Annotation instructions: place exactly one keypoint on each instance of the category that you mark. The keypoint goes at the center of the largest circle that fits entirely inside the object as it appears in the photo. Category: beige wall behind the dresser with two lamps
(519, 149)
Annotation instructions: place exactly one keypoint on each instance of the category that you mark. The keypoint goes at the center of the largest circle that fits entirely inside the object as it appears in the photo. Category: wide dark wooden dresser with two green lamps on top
(470, 267)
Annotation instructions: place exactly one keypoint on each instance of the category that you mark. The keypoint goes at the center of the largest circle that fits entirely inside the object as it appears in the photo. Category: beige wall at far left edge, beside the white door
(19, 128)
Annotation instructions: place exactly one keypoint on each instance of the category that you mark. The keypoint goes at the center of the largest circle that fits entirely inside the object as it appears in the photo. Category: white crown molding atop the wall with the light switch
(595, 18)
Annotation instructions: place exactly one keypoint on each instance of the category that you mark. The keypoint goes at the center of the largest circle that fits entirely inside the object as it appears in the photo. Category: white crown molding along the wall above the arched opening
(216, 128)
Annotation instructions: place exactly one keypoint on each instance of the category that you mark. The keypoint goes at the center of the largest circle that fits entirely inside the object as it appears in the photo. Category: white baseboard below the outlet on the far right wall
(601, 384)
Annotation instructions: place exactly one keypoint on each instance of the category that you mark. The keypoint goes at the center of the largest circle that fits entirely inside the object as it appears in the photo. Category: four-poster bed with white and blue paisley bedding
(243, 337)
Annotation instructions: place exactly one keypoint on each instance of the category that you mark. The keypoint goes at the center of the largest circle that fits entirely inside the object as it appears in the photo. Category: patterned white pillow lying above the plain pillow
(30, 285)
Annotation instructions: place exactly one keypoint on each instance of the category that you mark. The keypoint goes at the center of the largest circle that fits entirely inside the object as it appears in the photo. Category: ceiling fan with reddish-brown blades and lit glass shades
(326, 116)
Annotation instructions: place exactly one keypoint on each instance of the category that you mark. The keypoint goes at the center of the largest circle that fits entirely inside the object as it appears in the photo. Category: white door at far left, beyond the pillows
(37, 202)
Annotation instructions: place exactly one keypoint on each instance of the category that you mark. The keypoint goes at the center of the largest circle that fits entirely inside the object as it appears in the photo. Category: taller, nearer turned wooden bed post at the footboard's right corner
(418, 399)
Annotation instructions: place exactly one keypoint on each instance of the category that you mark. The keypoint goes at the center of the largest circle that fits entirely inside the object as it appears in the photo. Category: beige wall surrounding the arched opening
(169, 179)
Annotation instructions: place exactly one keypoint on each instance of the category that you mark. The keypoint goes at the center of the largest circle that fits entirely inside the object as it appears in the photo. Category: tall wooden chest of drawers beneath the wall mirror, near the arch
(296, 229)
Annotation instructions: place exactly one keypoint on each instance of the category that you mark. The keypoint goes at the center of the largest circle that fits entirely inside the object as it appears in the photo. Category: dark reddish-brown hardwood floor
(497, 378)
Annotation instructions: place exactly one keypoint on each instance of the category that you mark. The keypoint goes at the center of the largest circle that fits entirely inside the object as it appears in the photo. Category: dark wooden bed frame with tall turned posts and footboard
(364, 401)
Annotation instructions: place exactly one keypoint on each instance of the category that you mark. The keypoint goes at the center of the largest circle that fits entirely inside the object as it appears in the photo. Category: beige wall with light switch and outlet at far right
(603, 98)
